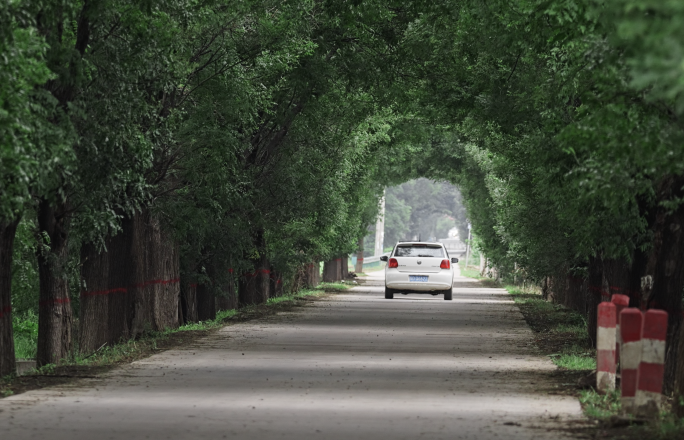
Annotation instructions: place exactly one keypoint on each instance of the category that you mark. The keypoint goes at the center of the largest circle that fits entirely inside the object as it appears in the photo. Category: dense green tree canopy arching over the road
(257, 136)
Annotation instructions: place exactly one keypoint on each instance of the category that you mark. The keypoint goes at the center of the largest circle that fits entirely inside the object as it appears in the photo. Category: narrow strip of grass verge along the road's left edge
(108, 357)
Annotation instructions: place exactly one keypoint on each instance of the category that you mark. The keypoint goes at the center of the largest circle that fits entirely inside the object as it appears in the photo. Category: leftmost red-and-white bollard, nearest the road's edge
(605, 347)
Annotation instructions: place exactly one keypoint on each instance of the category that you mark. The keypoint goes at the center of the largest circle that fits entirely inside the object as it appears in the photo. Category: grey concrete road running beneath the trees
(352, 366)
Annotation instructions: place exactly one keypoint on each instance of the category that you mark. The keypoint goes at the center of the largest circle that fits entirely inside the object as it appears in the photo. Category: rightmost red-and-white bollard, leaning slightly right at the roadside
(652, 365)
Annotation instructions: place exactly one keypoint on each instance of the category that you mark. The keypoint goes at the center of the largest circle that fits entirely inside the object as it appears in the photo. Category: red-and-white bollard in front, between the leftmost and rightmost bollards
(630, 355)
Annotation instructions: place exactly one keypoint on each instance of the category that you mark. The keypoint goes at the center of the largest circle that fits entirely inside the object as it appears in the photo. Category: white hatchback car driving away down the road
(419, 267)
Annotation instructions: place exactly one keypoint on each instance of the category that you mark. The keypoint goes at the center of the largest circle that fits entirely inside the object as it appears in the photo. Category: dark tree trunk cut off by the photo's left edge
(8, 231)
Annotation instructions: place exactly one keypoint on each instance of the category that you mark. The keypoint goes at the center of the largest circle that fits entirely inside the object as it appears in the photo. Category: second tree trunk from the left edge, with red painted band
(54, 317)
